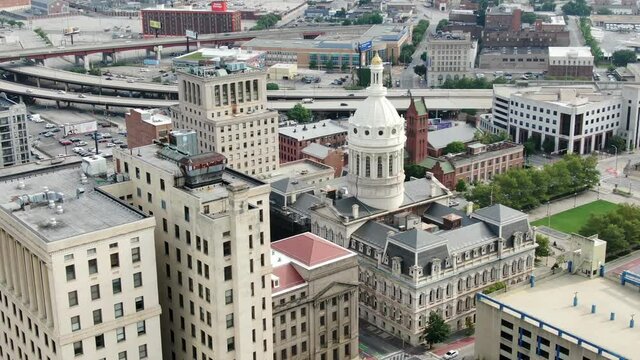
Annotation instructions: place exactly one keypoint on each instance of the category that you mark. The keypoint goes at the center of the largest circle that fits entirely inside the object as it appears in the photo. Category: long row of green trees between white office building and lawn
(528, 188)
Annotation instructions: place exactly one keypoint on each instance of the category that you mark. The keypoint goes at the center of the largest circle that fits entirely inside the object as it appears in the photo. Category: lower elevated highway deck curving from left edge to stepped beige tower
(126, 102)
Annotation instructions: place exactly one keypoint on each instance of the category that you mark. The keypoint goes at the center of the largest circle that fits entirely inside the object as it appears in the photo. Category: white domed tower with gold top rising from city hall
(376, 147)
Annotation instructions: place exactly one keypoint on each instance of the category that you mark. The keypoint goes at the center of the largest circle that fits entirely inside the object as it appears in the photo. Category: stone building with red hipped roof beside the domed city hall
(315, 299)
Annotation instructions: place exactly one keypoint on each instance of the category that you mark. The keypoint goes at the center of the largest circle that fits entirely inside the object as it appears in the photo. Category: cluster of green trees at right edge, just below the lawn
(620, 228)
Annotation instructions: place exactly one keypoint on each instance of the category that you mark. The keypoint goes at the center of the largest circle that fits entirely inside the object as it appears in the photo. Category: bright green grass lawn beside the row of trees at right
(573, 219)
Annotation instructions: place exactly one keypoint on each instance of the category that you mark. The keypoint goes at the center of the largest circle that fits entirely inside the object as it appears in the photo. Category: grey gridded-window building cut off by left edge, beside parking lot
(14, 143)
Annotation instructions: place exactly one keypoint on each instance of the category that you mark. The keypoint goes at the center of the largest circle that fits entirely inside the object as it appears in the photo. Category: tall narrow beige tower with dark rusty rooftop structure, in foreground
(212, 250)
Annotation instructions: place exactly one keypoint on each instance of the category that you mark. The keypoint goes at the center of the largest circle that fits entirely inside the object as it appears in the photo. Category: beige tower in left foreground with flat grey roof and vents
(77, 272)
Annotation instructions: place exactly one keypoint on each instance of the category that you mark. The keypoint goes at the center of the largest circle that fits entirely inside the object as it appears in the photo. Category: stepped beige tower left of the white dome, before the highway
(229, 112)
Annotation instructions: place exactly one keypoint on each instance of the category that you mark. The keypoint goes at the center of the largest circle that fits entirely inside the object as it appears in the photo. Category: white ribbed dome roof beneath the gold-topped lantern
(375, 112)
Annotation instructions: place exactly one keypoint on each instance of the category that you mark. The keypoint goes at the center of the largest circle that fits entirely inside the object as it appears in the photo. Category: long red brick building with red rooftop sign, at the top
(175, 21)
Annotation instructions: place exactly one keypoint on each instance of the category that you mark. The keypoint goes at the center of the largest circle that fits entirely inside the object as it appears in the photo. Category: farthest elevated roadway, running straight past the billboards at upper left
(149, 44)
